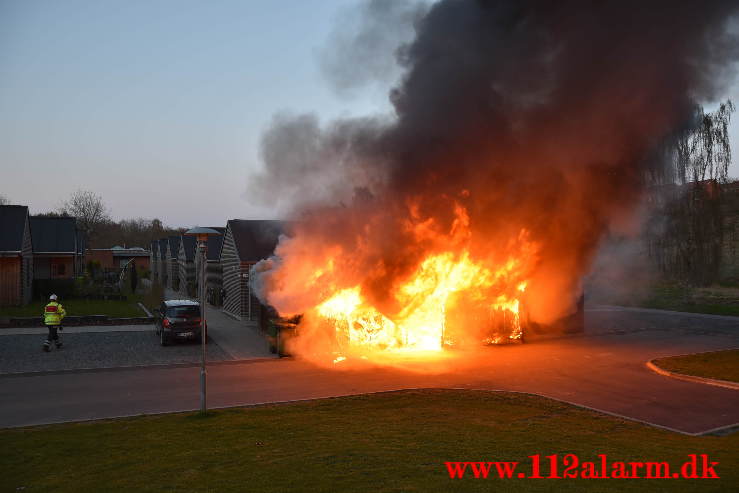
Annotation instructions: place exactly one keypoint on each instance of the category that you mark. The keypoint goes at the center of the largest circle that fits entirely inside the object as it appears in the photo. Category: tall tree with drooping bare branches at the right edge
(685, 230)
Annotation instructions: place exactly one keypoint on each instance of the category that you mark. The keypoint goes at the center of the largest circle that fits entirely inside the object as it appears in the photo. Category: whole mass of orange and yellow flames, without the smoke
(448, 299)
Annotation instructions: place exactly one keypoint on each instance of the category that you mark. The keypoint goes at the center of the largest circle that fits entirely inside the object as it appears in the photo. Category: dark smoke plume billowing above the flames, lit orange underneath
(530, 115)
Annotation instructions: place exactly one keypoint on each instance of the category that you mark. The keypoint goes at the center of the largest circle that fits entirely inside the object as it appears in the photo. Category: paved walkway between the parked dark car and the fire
(240, 340)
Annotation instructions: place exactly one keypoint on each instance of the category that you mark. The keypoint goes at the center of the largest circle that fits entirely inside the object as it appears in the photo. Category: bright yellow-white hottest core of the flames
(421, 325)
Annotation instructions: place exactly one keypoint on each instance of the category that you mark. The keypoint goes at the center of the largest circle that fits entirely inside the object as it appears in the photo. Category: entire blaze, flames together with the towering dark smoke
(522, 133)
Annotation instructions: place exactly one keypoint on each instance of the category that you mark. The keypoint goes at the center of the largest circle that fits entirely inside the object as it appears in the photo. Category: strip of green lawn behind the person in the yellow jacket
(112, 308)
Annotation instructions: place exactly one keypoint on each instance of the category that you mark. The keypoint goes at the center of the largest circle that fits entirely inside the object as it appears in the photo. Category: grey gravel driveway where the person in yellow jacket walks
(23, 353)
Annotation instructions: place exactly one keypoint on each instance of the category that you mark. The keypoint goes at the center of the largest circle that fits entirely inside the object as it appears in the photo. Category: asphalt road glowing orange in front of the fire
(603, 369)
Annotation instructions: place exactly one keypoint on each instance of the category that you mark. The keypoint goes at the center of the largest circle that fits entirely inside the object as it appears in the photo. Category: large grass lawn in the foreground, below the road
(392, 442)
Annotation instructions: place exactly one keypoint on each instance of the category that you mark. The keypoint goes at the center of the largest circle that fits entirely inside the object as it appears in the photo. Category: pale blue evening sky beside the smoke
(158, 106)
